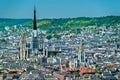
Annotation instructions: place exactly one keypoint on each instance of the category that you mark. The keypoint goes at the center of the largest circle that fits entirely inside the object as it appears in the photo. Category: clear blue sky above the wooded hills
(59, 8)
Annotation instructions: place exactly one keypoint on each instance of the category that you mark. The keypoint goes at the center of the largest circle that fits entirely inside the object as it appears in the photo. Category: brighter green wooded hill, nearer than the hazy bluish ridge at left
(58, 25)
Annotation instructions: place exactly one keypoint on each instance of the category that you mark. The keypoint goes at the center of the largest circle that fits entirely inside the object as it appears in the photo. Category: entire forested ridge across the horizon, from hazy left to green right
(64, 23)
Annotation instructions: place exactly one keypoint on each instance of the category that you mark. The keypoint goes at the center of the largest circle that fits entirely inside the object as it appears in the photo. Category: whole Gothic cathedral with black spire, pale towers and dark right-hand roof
(37, 45)
